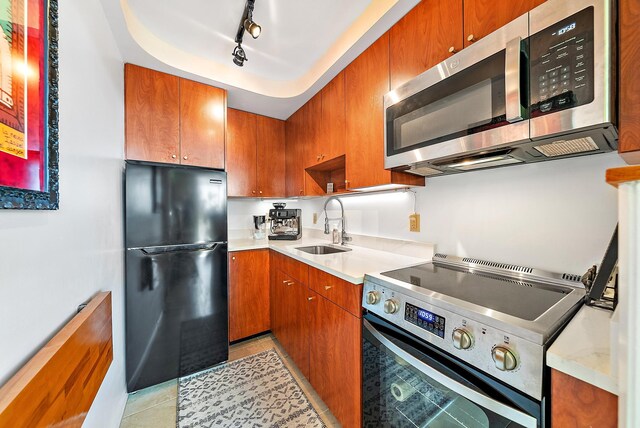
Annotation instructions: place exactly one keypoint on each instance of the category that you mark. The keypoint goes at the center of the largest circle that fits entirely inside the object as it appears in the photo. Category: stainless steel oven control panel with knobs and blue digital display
(514, 360)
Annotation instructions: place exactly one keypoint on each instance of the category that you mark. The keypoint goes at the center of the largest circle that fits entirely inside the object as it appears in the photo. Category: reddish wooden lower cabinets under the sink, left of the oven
(322, 337)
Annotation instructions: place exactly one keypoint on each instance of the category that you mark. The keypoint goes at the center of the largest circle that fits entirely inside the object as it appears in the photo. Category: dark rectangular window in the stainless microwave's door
(468, 102)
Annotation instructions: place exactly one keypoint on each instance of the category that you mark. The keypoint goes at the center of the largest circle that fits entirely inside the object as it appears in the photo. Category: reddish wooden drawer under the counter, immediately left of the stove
(343, 293)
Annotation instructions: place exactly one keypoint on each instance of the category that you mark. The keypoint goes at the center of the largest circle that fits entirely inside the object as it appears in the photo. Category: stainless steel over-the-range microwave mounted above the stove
(540, 88)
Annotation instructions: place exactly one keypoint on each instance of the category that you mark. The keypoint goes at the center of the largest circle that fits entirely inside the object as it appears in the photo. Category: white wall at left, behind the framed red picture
(52, 261)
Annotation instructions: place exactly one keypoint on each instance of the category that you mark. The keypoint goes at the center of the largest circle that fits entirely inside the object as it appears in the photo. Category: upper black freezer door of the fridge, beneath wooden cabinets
(170, 205)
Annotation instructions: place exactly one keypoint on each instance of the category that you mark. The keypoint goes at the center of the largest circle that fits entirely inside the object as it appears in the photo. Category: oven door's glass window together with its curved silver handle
(403, 387)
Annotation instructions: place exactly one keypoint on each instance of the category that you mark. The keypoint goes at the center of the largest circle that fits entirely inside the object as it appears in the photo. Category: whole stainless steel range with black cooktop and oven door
(461, 343)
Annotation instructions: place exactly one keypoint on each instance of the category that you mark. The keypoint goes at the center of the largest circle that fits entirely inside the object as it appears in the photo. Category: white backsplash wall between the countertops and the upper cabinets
(556, 215)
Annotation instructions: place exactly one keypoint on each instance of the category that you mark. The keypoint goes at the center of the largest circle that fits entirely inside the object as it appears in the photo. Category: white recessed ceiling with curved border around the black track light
(303, 44)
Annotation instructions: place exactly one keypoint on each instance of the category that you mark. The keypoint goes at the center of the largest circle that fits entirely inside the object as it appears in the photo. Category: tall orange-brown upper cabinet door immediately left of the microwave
(366, 82)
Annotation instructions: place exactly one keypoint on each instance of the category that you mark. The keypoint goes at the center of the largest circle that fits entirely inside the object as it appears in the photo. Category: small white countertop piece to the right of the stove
(583, 349)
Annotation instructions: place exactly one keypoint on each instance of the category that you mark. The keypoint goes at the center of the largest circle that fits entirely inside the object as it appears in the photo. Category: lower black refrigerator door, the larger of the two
(176, 311)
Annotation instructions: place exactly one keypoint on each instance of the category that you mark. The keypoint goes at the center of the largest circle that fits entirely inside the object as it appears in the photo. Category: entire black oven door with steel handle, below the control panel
(408, 383)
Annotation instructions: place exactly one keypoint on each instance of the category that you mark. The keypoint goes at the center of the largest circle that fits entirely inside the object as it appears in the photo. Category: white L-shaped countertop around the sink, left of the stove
(350, 266)
